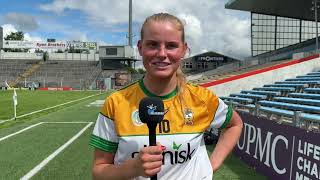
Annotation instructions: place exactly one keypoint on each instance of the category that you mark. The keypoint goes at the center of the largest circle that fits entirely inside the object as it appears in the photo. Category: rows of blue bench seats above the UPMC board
(297, 103)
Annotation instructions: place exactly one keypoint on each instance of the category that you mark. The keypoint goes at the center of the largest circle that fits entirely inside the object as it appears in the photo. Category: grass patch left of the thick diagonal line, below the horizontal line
(29, 148)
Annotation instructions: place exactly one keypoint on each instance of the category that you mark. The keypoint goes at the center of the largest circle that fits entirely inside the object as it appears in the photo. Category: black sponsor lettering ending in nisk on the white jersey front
(178, 156)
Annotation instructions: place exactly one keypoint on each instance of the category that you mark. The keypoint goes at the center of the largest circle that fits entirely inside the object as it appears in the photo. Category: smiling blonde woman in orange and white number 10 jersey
(121, 139)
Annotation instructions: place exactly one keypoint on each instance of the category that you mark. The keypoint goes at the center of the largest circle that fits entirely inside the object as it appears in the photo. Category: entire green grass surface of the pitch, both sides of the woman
(20, 153)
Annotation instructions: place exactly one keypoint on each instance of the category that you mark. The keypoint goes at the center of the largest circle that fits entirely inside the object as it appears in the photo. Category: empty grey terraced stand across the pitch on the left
(74, 74)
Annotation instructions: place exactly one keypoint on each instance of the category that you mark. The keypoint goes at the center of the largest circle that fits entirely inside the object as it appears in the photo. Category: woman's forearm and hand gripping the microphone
(147, 163)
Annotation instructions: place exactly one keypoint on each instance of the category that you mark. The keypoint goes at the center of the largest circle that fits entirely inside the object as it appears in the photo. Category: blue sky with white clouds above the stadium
(208, 25)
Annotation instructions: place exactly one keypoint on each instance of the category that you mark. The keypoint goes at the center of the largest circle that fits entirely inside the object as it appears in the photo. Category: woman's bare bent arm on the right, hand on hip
(226, 142)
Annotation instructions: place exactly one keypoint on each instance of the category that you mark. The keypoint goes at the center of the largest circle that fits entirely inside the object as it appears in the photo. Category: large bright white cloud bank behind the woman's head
(209, 26)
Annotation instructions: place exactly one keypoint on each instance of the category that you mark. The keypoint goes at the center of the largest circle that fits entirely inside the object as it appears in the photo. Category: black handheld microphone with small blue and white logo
(151, 112)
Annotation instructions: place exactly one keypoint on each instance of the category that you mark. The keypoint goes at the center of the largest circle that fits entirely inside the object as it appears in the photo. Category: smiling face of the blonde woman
(161, 49)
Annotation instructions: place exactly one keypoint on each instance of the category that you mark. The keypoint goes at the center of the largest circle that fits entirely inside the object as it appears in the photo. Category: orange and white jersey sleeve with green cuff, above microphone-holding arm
(104, 135)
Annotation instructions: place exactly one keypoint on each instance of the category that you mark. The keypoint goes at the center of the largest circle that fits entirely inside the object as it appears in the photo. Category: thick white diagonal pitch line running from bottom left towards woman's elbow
(53, 155)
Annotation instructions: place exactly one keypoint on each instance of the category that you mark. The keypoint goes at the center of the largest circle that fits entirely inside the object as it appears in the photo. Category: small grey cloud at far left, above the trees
(24, 22)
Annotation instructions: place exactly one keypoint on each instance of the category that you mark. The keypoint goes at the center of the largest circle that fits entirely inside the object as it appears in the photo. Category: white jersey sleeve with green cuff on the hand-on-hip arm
(222, 115)
